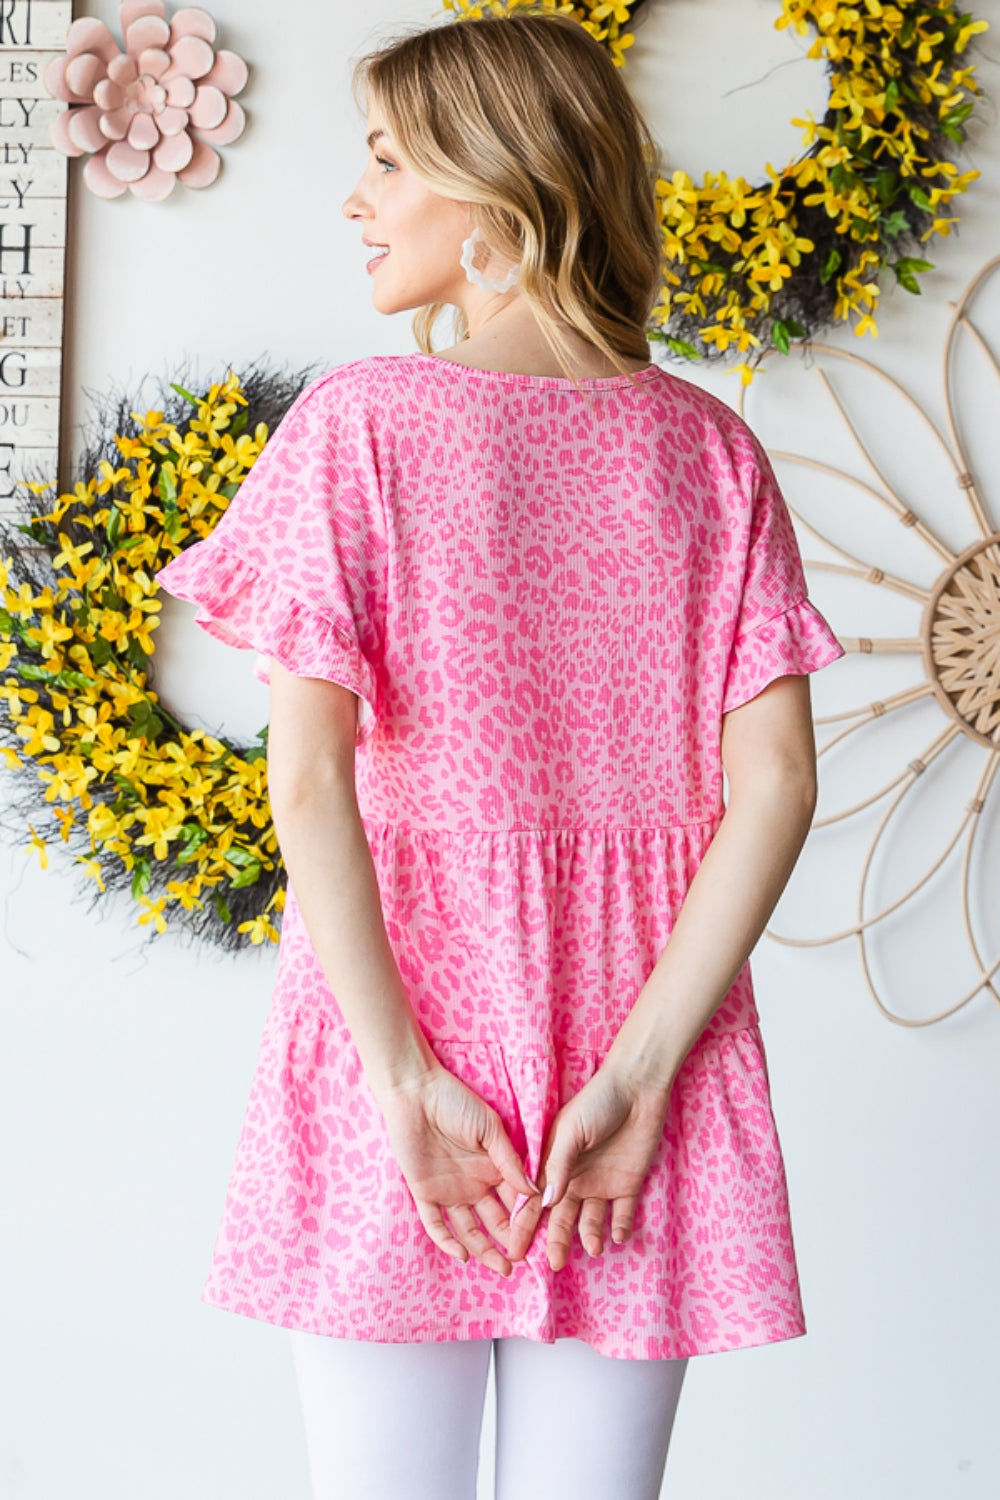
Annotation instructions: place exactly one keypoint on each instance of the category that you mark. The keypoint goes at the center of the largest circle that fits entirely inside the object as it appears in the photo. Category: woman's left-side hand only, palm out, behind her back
(454, 1151)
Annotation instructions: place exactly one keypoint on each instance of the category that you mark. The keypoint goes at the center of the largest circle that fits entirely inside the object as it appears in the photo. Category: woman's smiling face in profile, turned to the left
(422, 229)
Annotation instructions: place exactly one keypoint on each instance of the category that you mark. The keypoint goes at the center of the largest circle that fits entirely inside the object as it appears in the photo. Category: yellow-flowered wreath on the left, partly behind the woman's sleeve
(179, 817)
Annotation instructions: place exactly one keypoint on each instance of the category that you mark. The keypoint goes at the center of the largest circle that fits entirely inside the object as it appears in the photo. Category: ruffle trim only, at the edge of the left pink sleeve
(244, 608)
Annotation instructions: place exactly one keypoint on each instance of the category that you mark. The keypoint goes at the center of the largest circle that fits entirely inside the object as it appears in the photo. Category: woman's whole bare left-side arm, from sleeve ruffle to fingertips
(451, 1147)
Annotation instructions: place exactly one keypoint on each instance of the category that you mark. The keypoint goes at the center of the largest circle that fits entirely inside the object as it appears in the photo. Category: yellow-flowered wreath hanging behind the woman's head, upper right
(756, 268)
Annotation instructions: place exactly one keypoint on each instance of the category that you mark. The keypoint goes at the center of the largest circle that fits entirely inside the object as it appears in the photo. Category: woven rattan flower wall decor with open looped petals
(957, 647)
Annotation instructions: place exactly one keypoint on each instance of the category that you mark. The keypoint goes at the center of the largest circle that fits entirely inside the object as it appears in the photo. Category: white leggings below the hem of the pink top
(404, 1421)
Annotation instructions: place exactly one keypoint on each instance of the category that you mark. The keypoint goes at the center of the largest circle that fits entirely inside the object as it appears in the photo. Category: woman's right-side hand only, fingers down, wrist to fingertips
(597, 1151)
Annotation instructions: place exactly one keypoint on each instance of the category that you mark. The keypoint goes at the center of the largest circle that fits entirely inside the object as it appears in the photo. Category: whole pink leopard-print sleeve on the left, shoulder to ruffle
(296, 566)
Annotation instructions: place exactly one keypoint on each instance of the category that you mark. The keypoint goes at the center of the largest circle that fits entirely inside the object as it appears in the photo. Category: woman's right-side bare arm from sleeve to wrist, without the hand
(770, 755)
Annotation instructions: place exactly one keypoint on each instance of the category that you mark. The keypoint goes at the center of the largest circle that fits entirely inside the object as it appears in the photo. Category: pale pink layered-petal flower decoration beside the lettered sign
(154, 113)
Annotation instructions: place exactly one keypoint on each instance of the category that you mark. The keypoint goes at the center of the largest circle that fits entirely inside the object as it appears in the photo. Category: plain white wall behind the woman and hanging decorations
(127, 1064)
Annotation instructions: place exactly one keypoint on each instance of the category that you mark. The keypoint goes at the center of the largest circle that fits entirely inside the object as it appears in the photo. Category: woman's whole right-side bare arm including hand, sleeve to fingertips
(602, 1142)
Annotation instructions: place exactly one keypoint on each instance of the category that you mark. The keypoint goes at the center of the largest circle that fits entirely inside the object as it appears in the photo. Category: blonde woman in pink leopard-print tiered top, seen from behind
(519, 604)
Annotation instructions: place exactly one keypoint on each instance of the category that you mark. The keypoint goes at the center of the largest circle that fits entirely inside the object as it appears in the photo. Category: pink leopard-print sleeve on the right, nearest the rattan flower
(779, 631)
